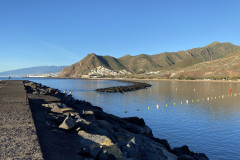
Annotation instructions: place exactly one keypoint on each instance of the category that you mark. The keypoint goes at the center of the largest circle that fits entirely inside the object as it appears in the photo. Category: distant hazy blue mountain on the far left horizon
(32, 71)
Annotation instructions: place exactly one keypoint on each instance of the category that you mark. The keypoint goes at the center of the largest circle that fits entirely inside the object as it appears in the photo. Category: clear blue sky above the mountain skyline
(62, 32)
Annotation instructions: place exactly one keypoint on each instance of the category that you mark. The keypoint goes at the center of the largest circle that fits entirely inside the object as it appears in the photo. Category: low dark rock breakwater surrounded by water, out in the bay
(135, 86)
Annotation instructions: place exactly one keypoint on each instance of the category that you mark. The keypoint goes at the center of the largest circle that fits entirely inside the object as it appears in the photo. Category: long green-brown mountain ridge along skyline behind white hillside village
(160, 62)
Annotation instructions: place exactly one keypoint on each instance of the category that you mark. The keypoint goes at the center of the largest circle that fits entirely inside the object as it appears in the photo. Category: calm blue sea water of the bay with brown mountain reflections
(208, 123)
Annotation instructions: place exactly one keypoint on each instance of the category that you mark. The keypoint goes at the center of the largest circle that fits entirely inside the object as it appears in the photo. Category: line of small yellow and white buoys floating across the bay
(195, 100)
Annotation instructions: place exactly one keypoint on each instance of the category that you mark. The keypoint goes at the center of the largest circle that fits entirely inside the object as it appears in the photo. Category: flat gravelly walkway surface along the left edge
(18, 134)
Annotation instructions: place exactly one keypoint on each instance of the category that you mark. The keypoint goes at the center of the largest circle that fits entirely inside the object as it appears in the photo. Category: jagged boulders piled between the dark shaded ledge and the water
(104, 136)
